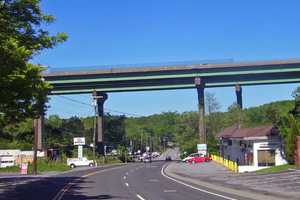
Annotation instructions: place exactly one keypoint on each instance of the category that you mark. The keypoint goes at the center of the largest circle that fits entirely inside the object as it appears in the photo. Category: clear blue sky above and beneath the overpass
(148, 31)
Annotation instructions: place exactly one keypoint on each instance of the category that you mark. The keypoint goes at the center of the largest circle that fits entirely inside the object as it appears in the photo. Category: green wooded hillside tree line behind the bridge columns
(155, 131)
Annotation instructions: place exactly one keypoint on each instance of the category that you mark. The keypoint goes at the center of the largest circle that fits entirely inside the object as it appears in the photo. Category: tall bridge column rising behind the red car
(201, 123)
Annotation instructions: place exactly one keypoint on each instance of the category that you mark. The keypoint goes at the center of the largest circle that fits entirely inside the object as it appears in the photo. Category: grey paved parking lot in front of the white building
(284, 183)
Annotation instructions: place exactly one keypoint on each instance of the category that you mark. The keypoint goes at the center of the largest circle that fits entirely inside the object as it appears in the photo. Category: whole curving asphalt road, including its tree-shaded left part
(141, 181)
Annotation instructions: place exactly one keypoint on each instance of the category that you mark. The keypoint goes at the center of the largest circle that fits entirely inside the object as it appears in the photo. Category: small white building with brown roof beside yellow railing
(252, 148)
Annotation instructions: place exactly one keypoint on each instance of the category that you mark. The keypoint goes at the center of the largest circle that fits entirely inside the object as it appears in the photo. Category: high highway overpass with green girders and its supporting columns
(199, 76)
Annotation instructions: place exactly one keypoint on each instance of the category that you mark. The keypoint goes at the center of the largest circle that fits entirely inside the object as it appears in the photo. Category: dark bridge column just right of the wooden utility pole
(101, 98)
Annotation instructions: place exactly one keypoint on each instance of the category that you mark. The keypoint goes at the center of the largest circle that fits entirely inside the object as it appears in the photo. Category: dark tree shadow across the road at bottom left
(28, 188)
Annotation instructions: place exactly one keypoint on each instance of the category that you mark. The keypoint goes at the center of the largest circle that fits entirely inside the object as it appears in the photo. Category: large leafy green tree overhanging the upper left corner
(23, 92)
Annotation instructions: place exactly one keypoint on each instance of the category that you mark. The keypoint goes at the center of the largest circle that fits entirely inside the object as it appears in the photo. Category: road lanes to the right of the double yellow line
(135, 181)
